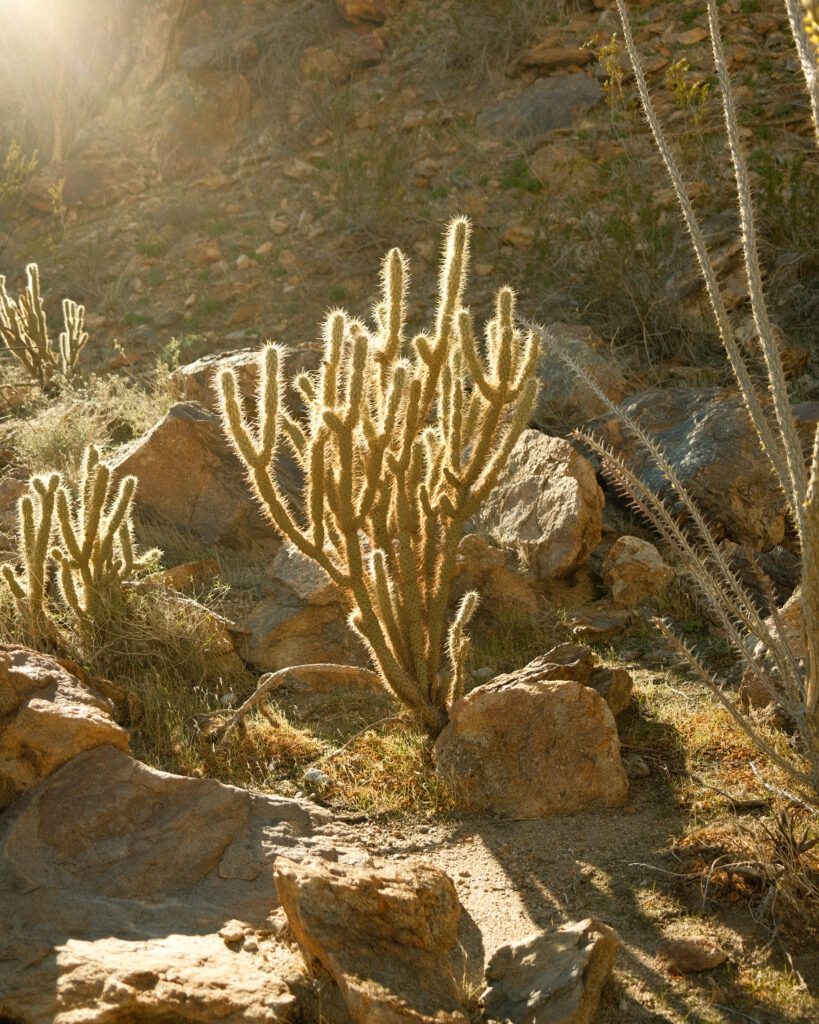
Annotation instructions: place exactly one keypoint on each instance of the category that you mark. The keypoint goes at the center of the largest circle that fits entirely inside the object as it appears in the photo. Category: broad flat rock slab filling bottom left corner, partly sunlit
(130, 894)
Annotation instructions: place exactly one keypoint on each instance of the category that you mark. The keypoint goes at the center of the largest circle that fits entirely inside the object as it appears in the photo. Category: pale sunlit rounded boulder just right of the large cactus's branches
(547, 505)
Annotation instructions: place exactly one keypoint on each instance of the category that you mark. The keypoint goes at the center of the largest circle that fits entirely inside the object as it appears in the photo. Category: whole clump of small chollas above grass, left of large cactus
(90, 539)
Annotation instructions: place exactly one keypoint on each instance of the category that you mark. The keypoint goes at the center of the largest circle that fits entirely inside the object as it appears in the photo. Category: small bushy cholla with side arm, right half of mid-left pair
(97, 554)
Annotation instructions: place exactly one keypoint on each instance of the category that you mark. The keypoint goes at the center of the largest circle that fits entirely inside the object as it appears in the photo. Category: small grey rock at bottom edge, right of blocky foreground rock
(555, 977)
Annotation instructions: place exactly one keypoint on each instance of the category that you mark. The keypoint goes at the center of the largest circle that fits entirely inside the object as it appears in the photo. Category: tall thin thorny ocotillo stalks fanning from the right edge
(795, 684)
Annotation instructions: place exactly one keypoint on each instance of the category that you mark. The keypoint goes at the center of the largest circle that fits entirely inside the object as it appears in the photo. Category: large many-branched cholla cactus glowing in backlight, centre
(402, 444)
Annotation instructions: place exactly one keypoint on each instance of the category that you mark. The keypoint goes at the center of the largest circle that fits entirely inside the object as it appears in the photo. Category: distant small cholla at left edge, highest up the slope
(25, 332)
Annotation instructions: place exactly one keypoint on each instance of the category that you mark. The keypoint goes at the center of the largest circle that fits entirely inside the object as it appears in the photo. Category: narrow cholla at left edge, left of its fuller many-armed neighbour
(36, 523)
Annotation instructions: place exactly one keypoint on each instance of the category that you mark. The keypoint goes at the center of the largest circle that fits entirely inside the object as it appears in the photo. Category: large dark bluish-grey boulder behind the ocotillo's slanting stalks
(708, 438)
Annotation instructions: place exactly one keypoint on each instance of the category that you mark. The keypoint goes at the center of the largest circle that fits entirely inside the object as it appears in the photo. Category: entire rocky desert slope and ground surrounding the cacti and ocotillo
(224, 173)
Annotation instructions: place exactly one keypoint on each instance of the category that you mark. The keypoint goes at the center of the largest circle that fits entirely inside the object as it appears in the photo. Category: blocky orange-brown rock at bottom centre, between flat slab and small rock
(385, 935)
